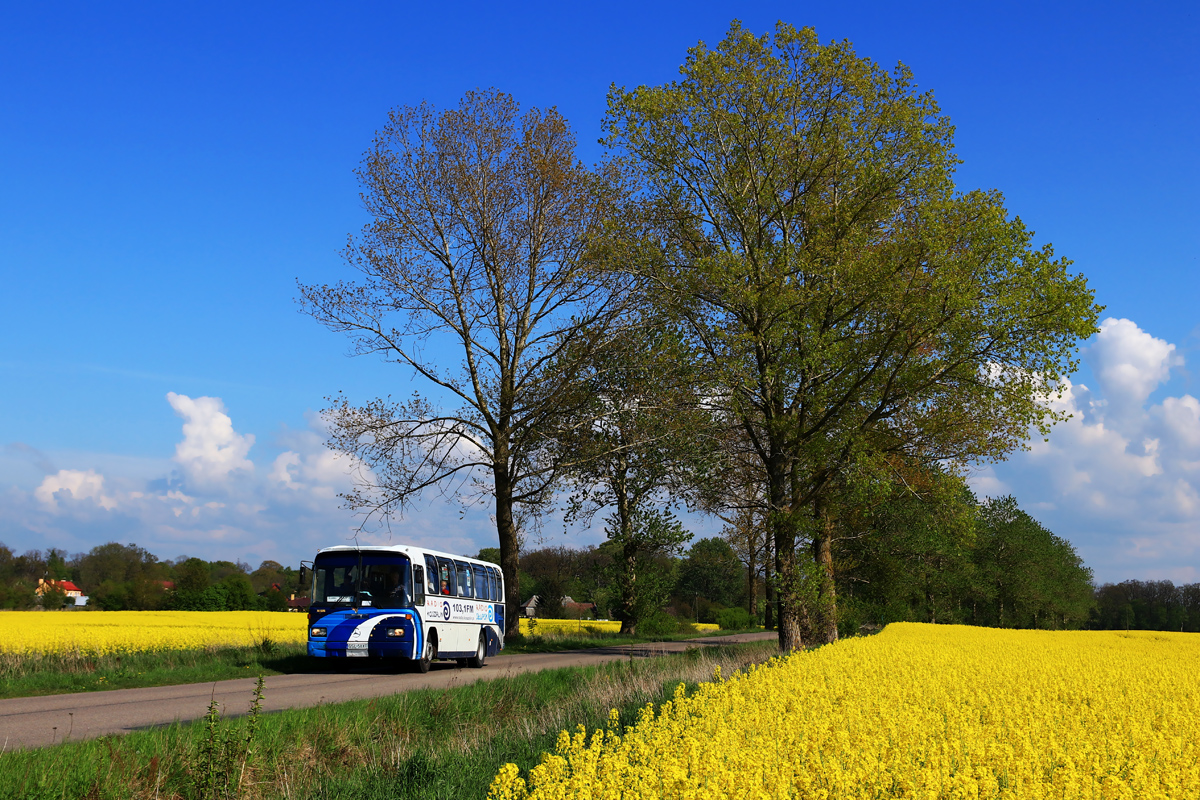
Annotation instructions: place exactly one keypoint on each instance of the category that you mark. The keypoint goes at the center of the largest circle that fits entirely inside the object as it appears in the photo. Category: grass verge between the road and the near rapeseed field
(421, 745)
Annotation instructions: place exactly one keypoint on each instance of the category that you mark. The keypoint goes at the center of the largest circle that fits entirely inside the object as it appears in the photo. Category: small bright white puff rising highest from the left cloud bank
(211, 449)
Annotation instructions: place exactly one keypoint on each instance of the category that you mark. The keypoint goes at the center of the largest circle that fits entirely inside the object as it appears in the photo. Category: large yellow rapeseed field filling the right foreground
(917, 712)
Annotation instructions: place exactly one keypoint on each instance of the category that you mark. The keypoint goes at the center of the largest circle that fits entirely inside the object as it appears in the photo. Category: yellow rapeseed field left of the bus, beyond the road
(103, 633)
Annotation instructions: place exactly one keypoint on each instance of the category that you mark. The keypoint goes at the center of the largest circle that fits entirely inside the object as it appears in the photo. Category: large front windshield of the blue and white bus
(376, 580)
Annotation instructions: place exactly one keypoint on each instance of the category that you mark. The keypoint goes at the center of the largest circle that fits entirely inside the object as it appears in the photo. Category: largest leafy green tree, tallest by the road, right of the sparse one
(800, 218)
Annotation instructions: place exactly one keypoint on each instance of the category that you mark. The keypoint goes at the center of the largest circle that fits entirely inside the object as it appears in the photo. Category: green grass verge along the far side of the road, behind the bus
(33, 676)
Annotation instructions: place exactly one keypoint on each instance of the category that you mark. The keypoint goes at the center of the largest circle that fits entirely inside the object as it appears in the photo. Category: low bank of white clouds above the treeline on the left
(213, 502)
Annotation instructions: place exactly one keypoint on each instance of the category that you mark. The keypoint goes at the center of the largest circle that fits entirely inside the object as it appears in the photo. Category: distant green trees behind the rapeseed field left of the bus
(118, 578)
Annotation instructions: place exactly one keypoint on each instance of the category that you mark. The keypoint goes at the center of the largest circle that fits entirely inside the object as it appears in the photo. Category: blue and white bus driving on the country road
(405, 603)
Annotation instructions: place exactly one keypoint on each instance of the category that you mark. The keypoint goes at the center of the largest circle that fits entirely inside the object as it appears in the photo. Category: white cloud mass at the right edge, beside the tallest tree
(1121, 479)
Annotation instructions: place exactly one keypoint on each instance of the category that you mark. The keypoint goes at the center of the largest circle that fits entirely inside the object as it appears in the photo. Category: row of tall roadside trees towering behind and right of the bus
(770, 302)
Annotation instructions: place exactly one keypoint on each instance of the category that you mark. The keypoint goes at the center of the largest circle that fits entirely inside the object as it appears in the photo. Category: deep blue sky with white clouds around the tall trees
(167, 172)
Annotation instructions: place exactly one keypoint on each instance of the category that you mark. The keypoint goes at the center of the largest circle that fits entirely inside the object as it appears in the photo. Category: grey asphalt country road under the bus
(40, 721)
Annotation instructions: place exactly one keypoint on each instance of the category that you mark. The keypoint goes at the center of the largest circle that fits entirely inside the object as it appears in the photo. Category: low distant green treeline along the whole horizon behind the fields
(931, 558)
